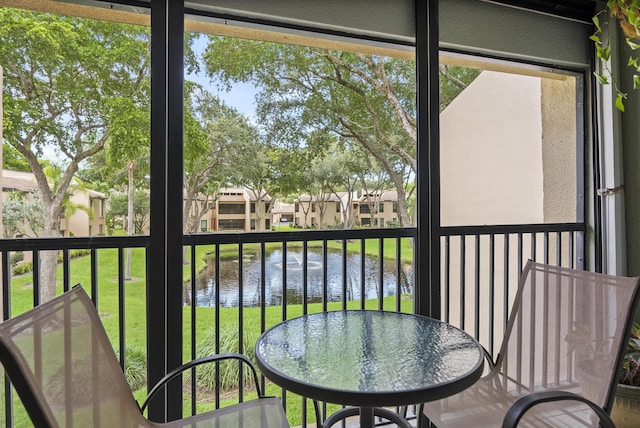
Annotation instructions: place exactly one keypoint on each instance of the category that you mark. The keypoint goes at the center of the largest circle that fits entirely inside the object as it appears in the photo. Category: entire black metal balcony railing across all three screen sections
(281, 275)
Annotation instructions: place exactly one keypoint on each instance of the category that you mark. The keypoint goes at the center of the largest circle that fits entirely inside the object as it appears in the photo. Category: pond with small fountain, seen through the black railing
(251, 274)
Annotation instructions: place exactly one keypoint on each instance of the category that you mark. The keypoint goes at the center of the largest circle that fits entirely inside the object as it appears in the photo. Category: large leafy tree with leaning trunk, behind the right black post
(365, 98)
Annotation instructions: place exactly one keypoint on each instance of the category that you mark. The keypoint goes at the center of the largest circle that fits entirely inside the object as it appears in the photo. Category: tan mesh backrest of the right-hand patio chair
(568, 330)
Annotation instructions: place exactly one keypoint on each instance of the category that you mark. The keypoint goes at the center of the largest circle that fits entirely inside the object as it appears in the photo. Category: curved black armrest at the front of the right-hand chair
(519, 408)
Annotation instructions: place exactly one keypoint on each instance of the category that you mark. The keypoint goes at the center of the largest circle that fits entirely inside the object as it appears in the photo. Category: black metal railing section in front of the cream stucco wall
(481, 267)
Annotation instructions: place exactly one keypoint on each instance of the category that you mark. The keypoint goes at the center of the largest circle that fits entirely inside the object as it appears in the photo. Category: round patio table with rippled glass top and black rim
(369, 360)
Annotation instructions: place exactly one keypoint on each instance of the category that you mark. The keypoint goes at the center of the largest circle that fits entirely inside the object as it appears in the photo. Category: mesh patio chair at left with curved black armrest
(63, 367)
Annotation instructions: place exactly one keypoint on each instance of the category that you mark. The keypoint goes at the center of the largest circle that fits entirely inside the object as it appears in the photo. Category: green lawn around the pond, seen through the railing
(135, 308)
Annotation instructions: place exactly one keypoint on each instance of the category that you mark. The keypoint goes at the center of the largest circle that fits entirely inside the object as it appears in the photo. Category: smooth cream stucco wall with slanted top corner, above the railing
(491, 156)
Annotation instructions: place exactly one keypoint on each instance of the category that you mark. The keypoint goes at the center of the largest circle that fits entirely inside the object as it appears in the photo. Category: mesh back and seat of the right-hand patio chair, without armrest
(560, 358)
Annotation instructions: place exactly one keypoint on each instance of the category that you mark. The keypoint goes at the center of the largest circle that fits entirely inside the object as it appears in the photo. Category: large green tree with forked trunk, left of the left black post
(67, 80)
